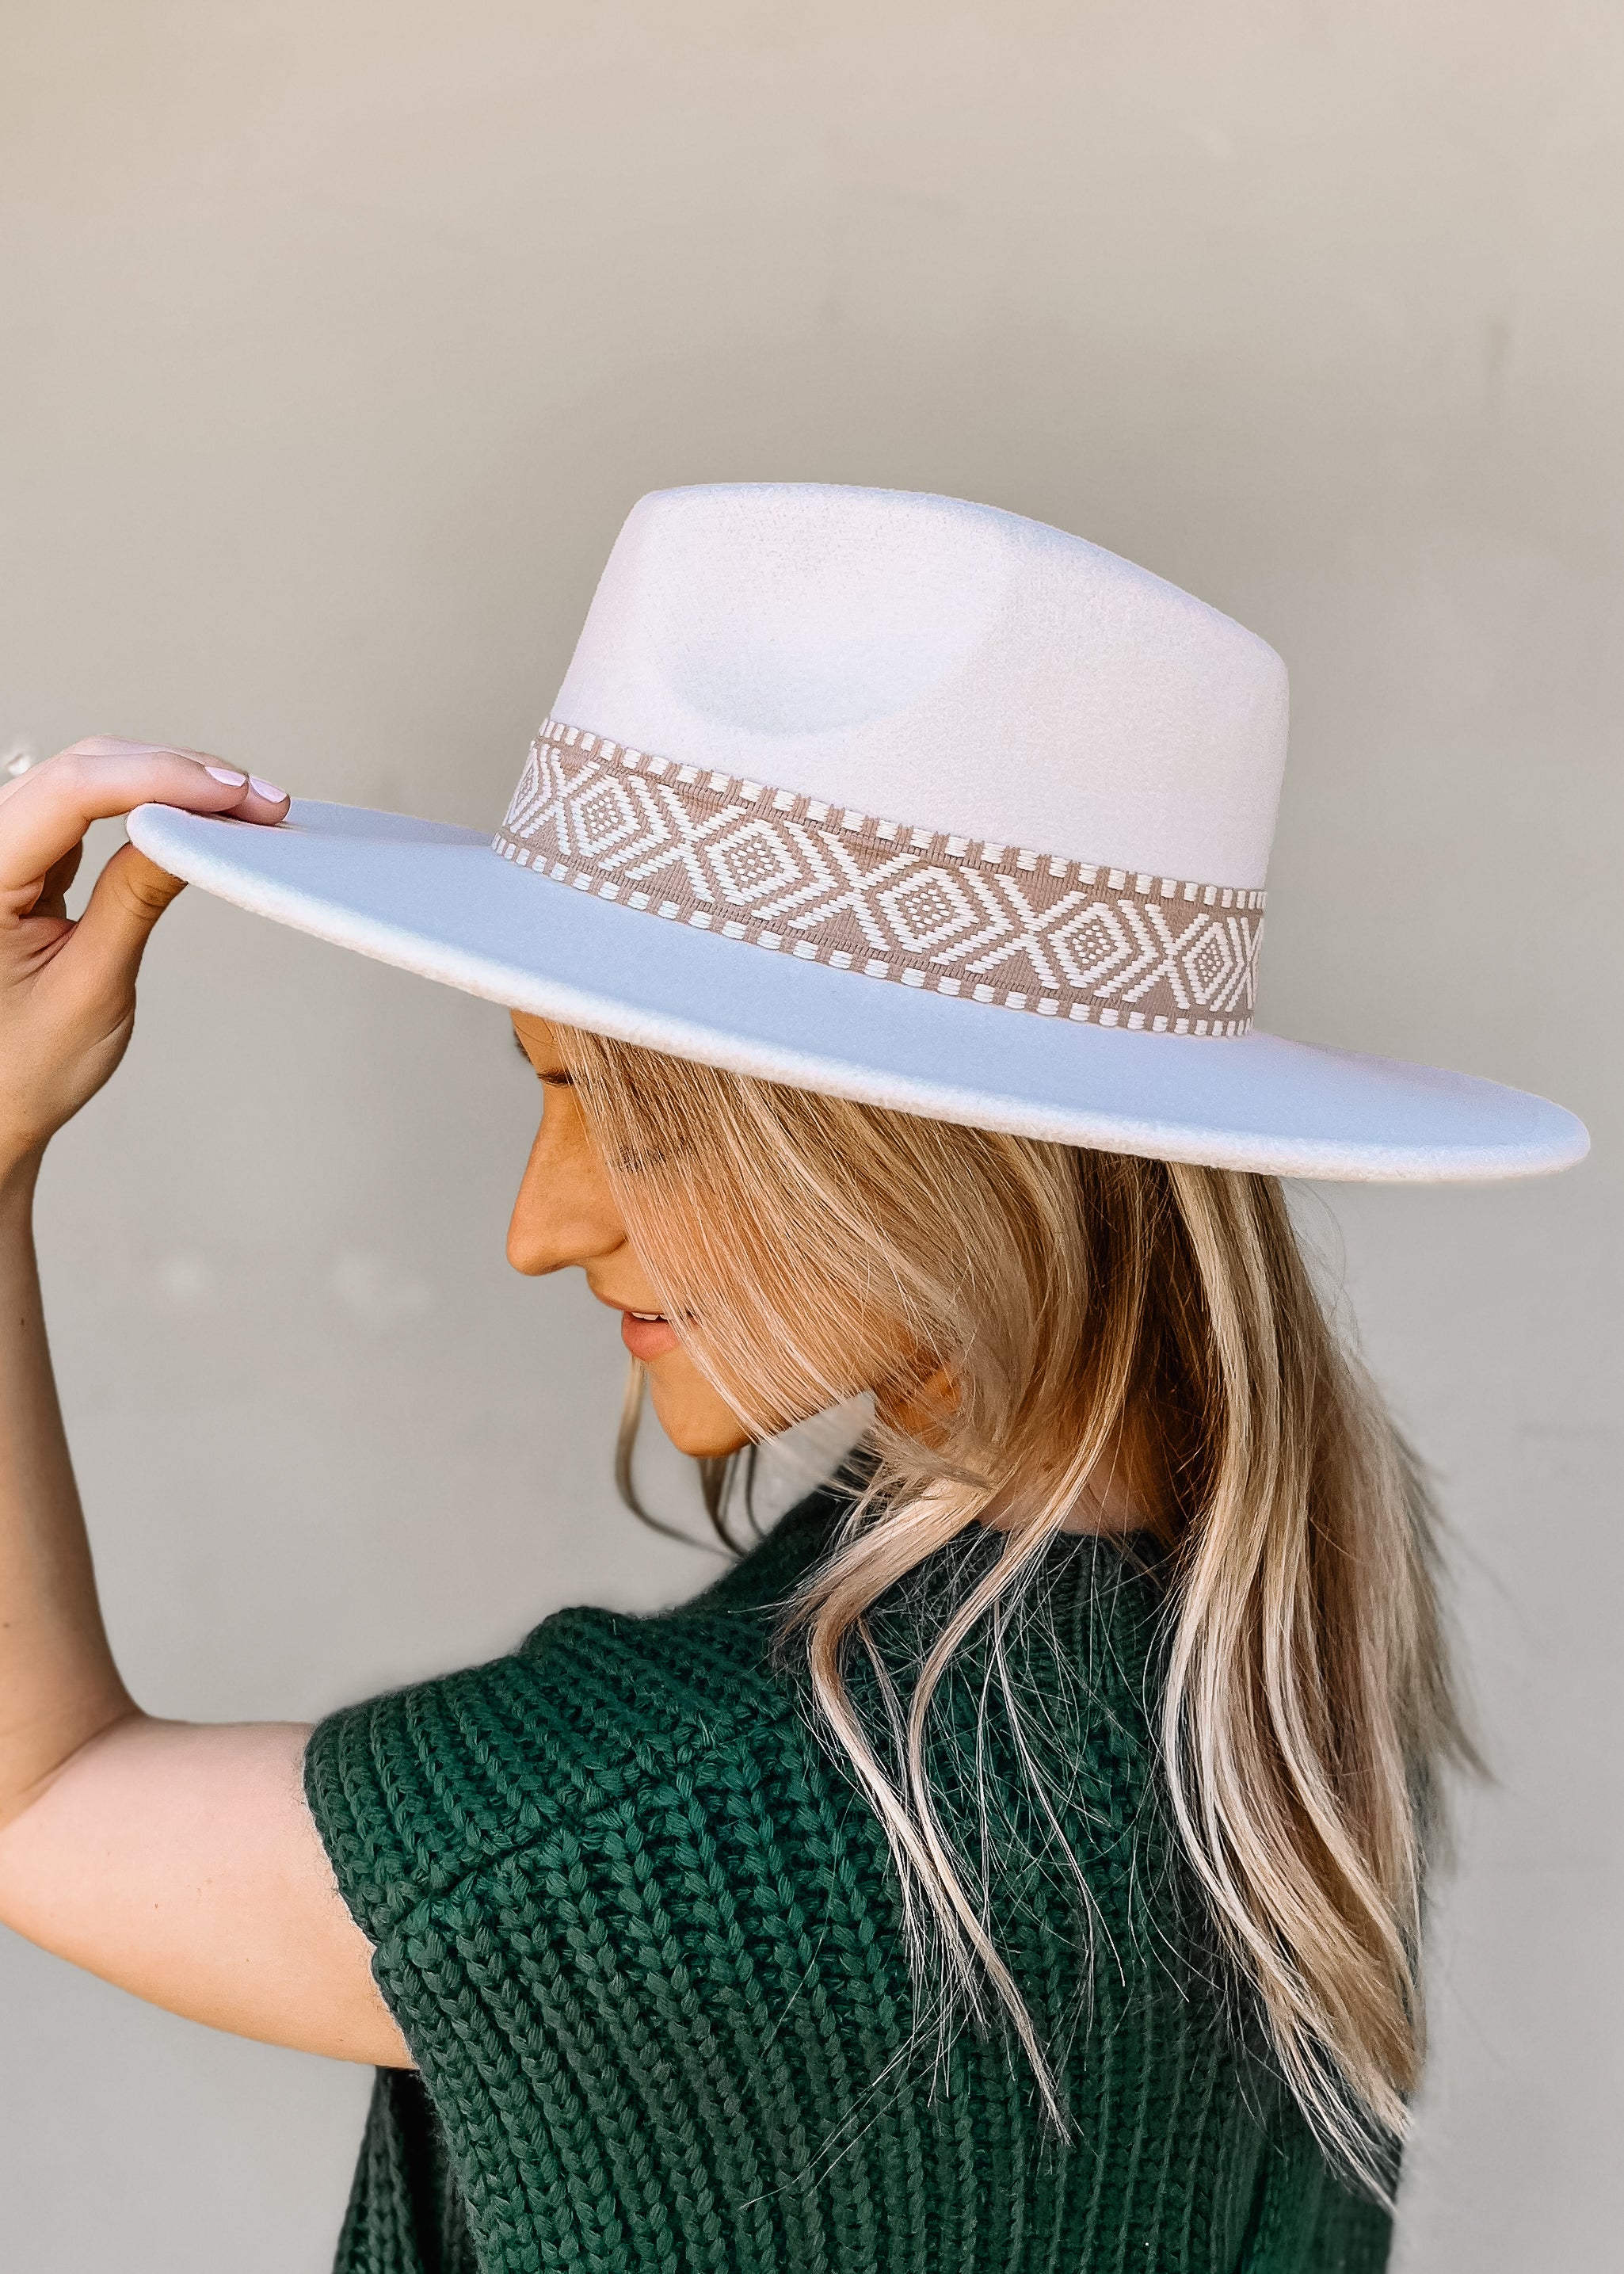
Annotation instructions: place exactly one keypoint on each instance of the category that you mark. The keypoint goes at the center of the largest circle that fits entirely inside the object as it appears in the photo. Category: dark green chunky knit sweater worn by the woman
(645, 1941)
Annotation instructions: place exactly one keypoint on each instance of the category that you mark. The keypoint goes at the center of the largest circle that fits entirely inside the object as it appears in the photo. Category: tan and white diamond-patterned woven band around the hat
(831, 886)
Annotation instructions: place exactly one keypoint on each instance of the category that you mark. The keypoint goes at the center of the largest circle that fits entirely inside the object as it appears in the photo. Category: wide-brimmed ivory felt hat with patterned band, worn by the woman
(902, 799)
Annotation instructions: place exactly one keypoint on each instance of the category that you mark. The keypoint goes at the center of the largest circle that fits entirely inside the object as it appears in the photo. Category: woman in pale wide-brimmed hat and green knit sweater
(1018, 1857)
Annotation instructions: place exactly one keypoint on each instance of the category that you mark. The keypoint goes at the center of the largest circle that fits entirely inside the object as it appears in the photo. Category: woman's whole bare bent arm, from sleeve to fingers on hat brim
(176, 1861)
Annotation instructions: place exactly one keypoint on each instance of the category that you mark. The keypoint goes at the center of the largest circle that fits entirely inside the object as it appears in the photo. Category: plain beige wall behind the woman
(338, 340)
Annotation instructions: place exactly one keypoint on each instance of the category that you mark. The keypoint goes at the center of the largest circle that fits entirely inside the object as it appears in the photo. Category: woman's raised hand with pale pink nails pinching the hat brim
(67, 990)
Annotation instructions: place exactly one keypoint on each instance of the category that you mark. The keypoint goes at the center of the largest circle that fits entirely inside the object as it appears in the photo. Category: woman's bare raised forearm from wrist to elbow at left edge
(58, 1677)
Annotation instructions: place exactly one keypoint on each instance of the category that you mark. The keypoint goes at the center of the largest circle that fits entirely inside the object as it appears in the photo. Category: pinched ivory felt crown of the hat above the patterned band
(941, 663)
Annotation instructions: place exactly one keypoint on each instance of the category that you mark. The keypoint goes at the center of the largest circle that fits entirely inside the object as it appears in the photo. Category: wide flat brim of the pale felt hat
(436, 899)
